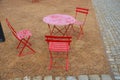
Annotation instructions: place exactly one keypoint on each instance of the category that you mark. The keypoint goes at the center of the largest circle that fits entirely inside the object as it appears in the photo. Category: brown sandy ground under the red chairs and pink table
(87, 55)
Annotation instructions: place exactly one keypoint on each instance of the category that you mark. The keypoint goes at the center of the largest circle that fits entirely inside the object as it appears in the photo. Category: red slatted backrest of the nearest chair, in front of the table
(58, 38)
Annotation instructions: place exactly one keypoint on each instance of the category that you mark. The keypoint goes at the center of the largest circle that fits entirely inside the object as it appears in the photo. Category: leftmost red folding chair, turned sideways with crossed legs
(23, 37)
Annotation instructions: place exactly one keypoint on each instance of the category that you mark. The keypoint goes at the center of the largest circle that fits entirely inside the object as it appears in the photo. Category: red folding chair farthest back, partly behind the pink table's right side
(82, 19)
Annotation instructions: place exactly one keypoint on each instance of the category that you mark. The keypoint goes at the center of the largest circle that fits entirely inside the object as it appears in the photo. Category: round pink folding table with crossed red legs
(59, 20)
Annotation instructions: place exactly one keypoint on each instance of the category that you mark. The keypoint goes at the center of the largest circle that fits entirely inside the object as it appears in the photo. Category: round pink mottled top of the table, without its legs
(59, 19)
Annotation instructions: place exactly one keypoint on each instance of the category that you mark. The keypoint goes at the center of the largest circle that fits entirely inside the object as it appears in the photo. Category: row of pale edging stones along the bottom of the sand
(80, 77)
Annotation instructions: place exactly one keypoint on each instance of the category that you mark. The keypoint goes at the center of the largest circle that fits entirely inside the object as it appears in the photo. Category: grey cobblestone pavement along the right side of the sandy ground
(108, 16)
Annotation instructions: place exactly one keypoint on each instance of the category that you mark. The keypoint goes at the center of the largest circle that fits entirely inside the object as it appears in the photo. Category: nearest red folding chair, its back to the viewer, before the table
(59, 45)
